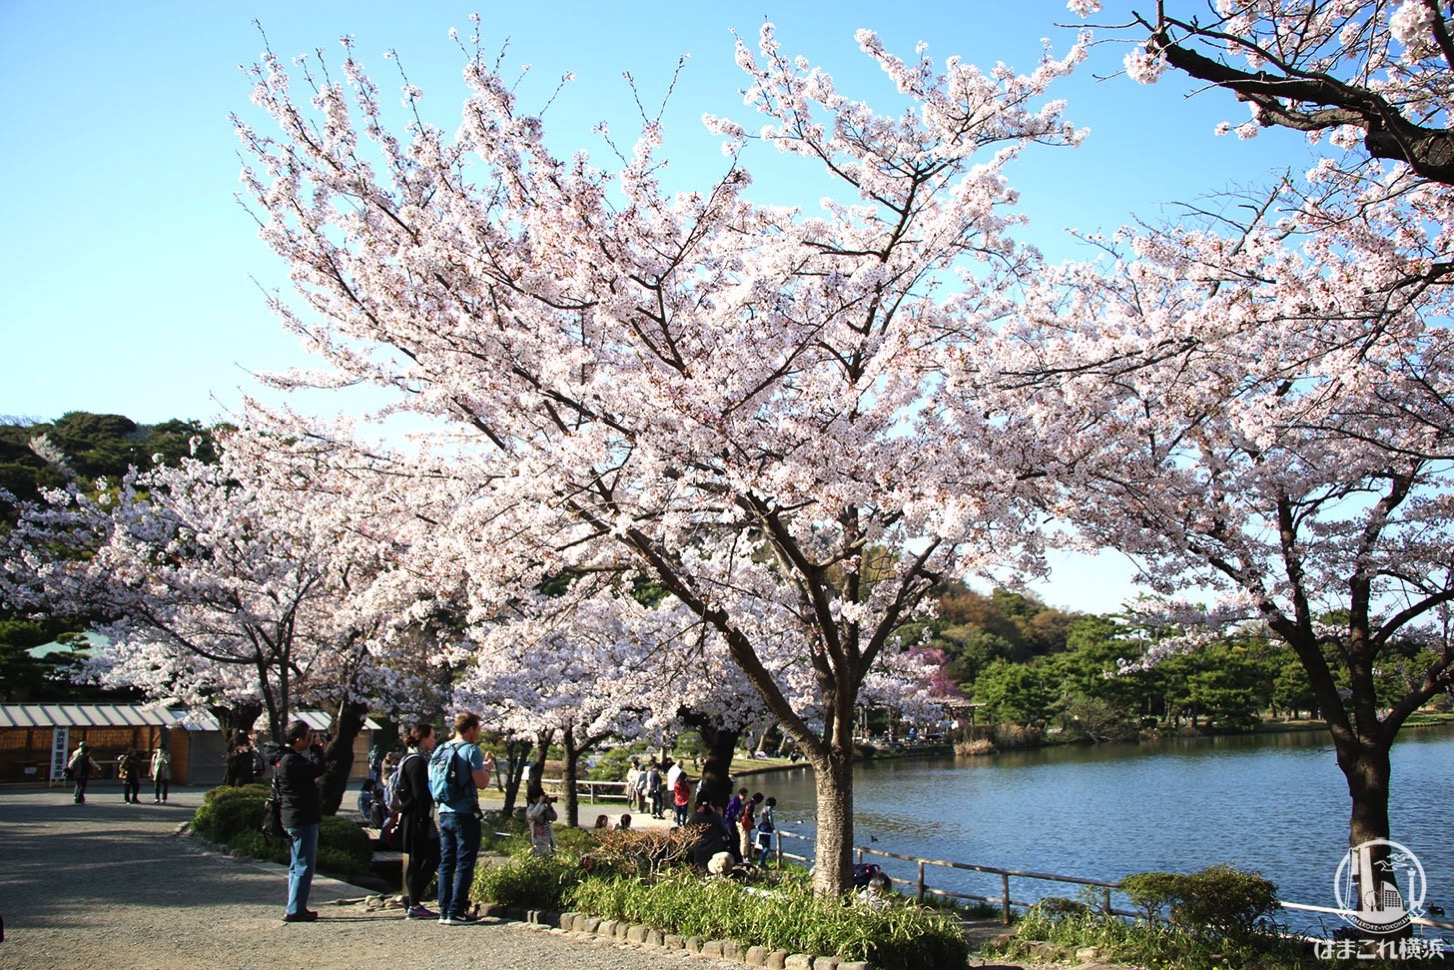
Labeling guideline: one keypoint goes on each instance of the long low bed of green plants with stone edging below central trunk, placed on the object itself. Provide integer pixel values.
(902, 937)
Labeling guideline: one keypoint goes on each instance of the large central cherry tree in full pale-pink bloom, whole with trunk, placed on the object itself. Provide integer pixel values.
(739, 402)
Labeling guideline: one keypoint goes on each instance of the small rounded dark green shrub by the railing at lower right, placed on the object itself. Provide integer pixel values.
(1218, 902)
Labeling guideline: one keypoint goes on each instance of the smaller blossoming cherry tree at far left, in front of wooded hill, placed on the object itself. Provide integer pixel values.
(223, 588)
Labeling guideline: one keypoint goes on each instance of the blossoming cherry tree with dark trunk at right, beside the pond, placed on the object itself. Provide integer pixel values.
(1266, 411)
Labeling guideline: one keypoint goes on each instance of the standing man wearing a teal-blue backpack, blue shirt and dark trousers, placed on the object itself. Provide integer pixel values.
(456, 776)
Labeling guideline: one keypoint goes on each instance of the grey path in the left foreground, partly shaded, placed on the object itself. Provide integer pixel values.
(111, 885)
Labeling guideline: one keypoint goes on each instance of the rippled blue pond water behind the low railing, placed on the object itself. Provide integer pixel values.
(1274, 803)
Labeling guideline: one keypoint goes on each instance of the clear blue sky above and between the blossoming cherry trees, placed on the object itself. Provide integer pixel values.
(130, 274)
